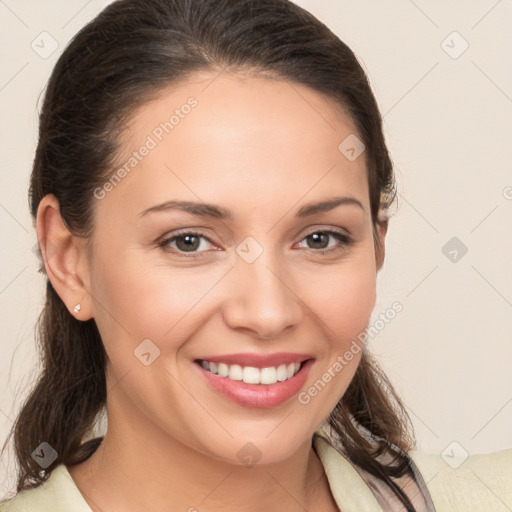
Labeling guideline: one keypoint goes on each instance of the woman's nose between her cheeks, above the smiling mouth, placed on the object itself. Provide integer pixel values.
(263, 300)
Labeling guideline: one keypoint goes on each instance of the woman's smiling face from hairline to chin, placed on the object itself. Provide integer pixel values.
(262, 280)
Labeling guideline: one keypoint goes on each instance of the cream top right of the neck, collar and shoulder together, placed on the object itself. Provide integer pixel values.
(480, 482)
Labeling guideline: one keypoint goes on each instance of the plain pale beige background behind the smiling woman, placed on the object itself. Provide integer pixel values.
(448, 126)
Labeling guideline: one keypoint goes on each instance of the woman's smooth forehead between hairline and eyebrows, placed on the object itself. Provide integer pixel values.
(244, 140)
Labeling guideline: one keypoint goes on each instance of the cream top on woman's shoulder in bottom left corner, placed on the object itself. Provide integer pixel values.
(57, 494)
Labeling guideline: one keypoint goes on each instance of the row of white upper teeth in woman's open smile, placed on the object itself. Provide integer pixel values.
(252, 375)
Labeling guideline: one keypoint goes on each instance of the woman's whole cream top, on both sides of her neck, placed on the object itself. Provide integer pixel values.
(479, 483)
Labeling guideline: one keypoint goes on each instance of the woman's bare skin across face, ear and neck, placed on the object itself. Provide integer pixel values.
(263, 149)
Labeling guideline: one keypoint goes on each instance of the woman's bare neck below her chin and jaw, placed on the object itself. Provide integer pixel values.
(140, 467)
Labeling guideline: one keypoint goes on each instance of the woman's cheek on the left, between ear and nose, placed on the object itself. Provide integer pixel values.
(142, 300)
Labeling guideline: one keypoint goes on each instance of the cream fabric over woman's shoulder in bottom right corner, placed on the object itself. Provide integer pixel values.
(467, 483)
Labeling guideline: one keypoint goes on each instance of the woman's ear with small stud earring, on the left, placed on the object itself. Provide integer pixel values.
(65, 258)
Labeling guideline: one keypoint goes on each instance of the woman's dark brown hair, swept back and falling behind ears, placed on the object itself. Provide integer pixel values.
(132, 50)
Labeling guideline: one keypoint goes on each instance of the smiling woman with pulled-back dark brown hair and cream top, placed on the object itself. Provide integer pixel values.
(210, 191)
